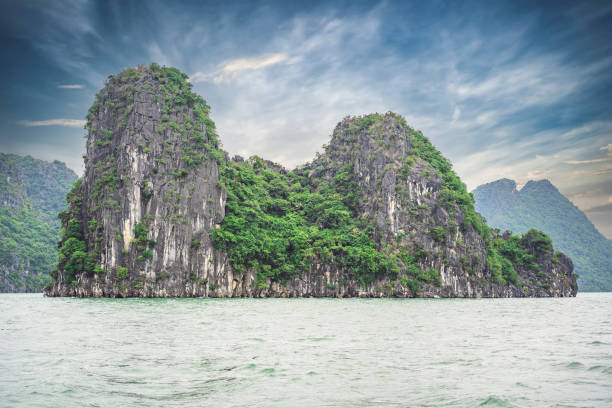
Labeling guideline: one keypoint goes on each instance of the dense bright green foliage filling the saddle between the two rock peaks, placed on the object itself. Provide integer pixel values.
(278, 226)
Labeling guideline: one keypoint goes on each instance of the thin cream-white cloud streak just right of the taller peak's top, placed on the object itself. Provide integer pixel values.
(229, 70)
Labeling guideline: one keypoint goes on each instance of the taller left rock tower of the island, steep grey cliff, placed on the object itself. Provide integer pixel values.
(149, 197)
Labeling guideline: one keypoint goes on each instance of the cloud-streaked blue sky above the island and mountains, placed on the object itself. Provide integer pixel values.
(504, 89)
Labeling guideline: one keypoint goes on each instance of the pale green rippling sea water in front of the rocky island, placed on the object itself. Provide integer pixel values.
(306, 352)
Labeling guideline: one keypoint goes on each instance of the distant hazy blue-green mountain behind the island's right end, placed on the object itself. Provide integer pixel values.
(540, 205)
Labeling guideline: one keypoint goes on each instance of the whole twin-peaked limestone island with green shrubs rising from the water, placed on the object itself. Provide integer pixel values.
(161, 211)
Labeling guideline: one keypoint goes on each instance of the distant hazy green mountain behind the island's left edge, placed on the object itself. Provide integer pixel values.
(32, 193)
